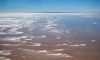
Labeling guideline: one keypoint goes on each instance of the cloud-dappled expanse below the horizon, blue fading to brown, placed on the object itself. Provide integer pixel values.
(50, 36)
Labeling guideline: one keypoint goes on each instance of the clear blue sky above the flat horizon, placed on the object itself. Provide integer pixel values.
(49, 5)
